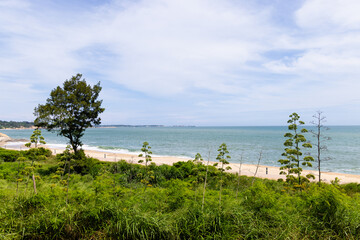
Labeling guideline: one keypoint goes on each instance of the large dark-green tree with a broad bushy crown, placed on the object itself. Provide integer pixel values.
(70, 110)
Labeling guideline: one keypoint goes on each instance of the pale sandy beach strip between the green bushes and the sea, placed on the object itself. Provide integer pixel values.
(263, 171)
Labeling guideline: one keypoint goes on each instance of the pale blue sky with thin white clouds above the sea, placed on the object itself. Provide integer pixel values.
(186, 62)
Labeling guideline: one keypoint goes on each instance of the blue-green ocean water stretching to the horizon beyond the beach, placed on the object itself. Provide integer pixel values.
(248, 142)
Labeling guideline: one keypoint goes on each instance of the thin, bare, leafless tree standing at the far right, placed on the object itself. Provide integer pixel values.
(318, 121)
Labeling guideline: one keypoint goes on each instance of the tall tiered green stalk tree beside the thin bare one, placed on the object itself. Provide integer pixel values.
(294, 160)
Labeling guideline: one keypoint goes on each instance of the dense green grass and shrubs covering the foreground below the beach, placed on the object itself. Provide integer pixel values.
(84, 198)
